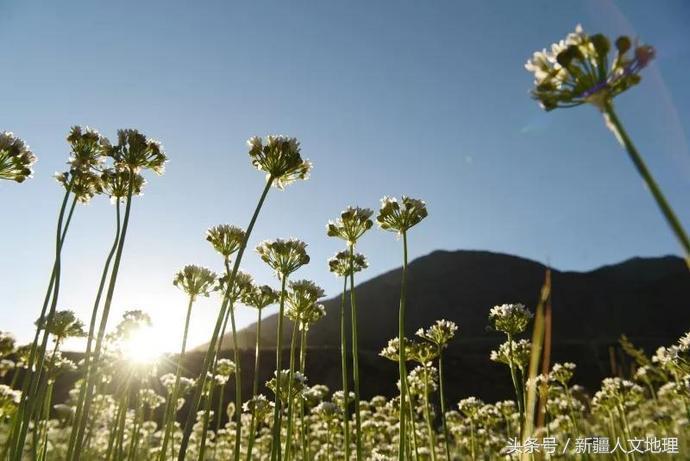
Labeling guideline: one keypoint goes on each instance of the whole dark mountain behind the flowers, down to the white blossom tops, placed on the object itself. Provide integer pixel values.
(648, 299)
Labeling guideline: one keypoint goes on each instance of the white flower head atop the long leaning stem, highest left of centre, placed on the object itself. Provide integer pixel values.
(279, 157)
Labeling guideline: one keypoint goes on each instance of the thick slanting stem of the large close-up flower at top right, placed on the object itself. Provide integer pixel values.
(615, 124)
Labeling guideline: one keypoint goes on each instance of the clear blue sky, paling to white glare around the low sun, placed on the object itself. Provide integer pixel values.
(424, 98)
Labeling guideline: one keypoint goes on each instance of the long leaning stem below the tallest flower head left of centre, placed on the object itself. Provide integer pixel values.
(210, 353)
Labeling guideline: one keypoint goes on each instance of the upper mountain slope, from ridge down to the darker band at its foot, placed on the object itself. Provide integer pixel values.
(645, 298)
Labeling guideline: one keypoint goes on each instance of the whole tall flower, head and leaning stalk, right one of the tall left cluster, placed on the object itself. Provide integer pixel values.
(133, 153)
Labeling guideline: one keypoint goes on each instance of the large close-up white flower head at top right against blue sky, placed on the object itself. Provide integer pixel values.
(578, 70)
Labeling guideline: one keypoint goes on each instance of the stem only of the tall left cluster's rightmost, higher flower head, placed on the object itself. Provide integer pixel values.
(104, 319)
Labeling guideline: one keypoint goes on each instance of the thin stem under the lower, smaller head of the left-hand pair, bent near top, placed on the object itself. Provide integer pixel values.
(92, 328)
